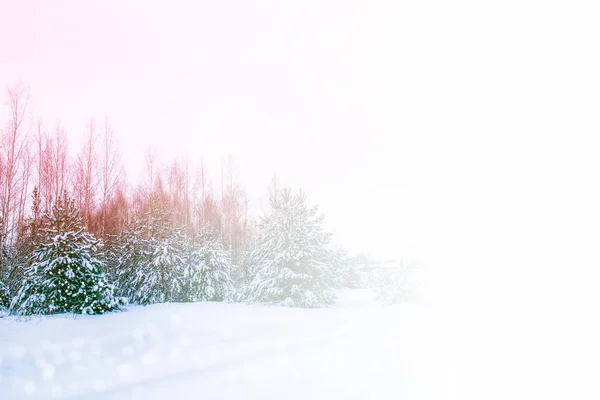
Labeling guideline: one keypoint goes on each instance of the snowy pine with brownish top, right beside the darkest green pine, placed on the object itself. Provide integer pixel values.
(150, 257)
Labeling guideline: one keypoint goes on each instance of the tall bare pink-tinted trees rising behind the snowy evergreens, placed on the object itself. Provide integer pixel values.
(37, 158)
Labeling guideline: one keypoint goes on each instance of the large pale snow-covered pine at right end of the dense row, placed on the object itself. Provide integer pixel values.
(291, 264)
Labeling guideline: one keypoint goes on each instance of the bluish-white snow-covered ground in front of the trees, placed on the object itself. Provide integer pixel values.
(357, 349)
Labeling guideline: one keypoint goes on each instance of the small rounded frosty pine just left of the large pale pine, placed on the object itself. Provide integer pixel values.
(206, 274)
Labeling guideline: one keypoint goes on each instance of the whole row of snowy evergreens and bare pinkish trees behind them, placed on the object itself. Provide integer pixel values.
(175, 237)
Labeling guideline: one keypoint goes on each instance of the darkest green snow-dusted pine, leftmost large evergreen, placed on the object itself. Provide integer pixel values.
(65, 274)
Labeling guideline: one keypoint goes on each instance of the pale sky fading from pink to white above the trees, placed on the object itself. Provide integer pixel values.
(443, 132)
